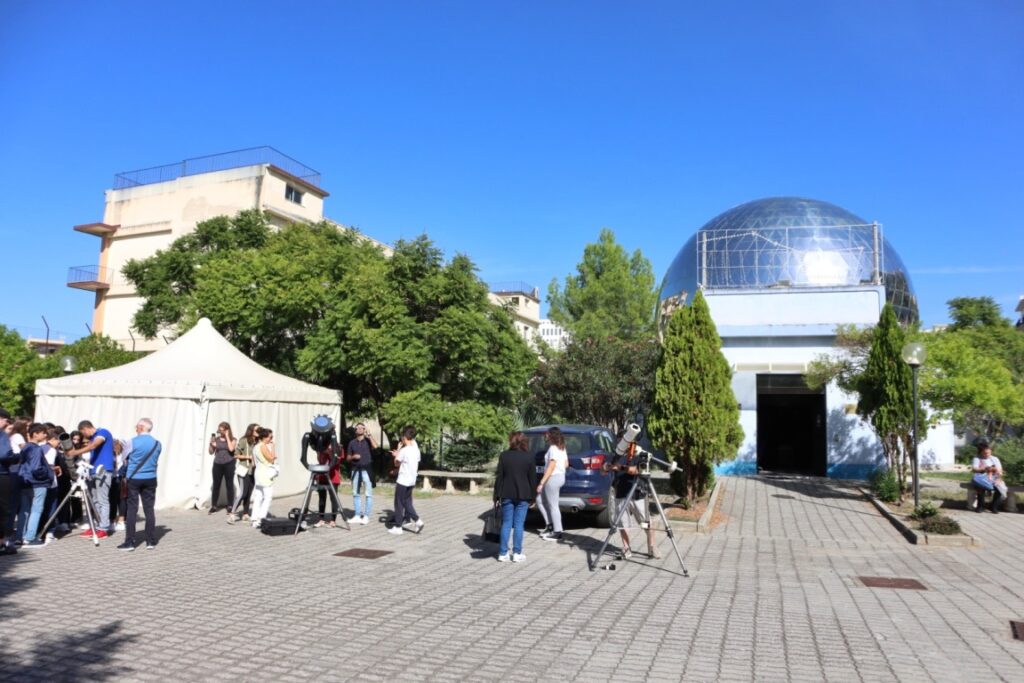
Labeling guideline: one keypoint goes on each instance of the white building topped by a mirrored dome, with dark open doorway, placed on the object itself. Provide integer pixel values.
(780, 275)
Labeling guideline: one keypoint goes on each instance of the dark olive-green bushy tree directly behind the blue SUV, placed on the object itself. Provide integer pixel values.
(599, 380)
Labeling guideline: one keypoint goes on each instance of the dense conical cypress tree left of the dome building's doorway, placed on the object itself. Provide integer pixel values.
(695, 417)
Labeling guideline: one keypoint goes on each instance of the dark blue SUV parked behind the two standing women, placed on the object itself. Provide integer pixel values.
(587, 489)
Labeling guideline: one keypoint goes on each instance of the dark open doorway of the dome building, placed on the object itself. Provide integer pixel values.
(791, 426)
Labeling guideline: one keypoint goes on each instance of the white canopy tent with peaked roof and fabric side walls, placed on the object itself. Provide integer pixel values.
(188, 389)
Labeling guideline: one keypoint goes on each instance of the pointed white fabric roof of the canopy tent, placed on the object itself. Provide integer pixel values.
(200, 363)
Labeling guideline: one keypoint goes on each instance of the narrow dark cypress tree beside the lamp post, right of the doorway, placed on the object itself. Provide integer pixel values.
(886, 394)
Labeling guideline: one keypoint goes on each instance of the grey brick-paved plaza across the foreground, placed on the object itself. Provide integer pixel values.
(774, 595)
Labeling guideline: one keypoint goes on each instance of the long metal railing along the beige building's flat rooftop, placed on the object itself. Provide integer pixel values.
(220, 162)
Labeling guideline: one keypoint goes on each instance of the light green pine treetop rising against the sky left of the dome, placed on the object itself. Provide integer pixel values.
(613, 293)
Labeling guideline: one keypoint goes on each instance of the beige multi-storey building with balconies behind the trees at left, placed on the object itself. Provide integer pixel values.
(141, 220)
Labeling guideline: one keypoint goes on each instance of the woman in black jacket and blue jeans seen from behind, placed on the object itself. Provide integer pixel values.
(516, 491)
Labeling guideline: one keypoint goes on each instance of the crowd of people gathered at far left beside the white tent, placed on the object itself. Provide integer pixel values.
(41, 464)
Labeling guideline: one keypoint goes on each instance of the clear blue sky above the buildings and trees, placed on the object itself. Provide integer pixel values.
(515, 132)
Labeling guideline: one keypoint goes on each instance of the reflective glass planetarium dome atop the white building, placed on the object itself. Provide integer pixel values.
(788, 242)
